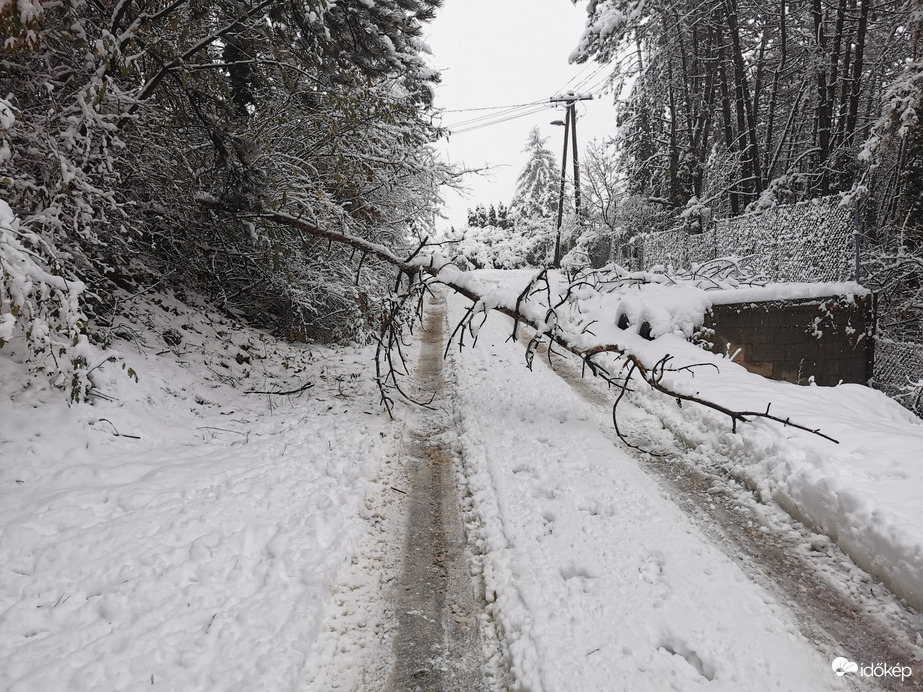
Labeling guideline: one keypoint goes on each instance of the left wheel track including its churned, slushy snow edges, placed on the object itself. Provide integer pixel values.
(403, 615)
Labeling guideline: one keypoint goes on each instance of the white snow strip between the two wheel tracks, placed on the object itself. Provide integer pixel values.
(598, 581)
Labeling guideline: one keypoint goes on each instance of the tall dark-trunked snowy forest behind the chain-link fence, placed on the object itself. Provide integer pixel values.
(745, 104)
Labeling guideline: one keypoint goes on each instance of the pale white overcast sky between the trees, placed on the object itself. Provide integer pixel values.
(507, 52)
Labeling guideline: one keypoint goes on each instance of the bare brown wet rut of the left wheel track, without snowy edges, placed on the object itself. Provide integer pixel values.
(438, 644)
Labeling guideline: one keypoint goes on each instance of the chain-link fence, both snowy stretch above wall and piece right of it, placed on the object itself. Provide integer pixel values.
(810, 241)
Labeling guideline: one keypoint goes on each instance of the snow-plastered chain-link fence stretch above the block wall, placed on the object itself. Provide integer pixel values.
(810, 241)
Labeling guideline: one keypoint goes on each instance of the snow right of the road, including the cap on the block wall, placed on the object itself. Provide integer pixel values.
(865, 493)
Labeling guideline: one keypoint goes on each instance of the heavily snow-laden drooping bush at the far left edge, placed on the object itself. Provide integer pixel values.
(42, 311)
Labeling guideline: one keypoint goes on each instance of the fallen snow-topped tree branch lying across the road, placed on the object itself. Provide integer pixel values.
(420, 269)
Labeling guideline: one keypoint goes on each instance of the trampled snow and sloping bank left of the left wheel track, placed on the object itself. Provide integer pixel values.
(198, 556)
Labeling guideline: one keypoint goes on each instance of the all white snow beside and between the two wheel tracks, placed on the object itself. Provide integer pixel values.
(186, 534)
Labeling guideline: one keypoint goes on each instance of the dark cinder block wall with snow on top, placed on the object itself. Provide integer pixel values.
(793, 340)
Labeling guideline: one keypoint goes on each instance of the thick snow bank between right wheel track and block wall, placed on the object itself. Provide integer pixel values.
(865, 493)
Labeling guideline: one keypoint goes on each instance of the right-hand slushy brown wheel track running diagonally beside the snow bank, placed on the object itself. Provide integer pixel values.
(834, 602)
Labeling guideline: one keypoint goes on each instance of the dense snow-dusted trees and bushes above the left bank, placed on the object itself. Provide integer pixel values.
(145, 155)
